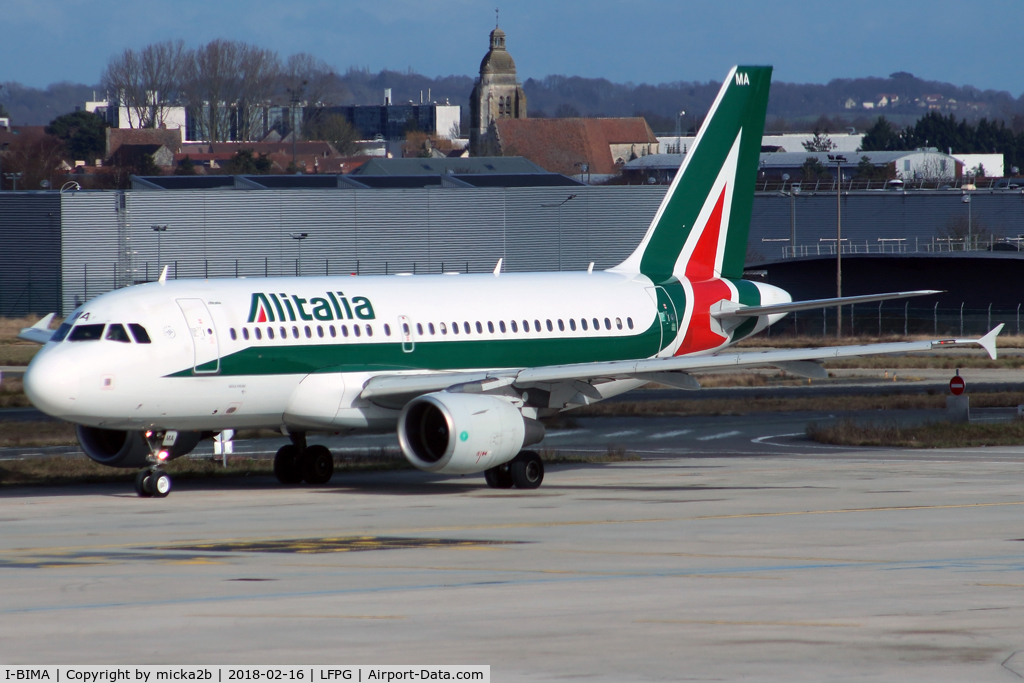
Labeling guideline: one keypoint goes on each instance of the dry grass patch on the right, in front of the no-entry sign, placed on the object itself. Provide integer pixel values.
(931, 436)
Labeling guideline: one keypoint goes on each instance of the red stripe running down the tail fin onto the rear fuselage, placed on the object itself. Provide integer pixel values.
(708, 290)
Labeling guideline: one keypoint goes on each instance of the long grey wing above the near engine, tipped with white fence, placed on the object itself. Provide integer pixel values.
(392, 390)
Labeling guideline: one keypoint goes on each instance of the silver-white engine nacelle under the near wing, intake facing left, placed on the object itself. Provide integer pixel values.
(462, 434)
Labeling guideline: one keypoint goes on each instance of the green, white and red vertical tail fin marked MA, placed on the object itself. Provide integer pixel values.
(700, 232)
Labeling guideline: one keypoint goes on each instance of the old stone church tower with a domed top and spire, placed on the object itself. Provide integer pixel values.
(497, 95)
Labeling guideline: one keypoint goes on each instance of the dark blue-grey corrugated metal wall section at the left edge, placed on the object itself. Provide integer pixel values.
(30, 260)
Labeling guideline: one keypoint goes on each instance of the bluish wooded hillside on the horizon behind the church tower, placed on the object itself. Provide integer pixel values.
(903, 99)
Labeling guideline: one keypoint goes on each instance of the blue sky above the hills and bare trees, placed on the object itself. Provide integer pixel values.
(641, 41)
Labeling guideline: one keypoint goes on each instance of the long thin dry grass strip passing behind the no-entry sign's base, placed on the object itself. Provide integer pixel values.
(745, 406)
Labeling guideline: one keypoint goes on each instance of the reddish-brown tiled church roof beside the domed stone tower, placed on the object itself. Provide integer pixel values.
(559, 145)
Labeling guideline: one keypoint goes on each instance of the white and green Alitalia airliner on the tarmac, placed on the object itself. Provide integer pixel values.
(465, 367)
